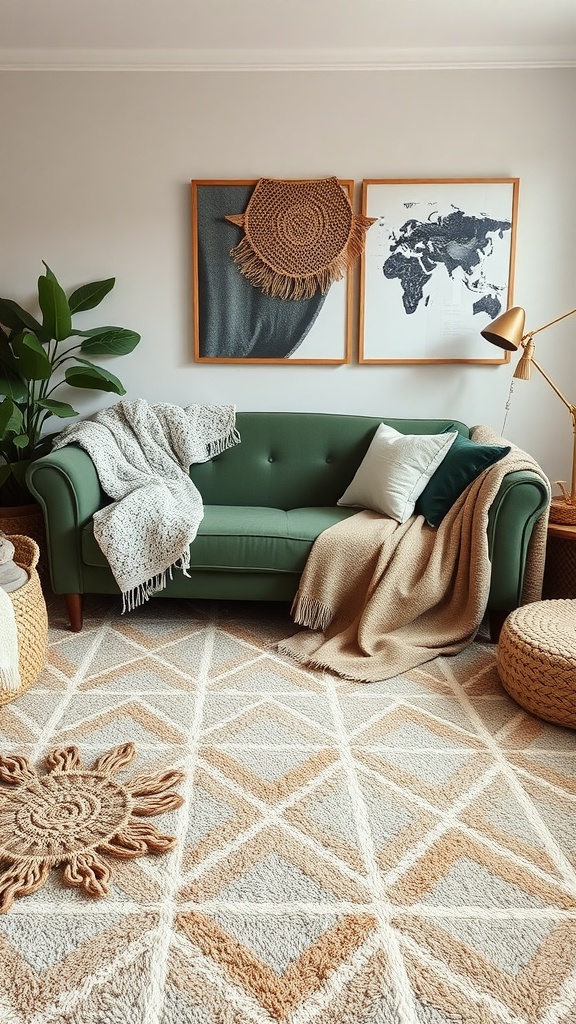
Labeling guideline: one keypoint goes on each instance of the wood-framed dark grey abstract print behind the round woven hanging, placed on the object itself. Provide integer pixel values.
(234, 322)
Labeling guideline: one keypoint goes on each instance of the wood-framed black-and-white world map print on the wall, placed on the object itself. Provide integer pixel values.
(437, 269)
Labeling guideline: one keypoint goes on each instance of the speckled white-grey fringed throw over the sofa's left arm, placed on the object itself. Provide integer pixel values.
(143, 454)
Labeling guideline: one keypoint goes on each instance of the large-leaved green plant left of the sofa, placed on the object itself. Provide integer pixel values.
(37, 358)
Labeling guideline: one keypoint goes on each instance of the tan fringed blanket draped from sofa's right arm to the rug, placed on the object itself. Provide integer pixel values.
(381, 599)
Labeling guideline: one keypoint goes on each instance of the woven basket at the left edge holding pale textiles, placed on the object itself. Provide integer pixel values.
(31, 617)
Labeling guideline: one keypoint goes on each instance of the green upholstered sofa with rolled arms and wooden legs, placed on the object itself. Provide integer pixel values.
(266, 500)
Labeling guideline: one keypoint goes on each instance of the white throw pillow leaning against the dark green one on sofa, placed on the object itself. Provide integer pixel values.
(395, 472)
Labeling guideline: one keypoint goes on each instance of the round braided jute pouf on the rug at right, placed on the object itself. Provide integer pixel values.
(538, 660)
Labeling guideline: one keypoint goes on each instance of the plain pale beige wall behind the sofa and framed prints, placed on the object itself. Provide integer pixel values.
(96, 172)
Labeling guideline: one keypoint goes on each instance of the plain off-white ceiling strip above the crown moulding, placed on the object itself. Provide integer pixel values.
(287, 33)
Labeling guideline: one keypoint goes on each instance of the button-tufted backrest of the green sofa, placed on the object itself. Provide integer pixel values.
(296, 460)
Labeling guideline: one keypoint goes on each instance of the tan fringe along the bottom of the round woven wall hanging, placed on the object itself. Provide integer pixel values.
(283, 286)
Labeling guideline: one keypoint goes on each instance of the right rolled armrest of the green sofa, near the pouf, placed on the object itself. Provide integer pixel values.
(522, 499)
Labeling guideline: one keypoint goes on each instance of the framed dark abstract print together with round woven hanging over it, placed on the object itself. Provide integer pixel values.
(276, 288)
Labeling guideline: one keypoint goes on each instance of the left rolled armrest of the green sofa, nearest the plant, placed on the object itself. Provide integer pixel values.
(67, 487)
